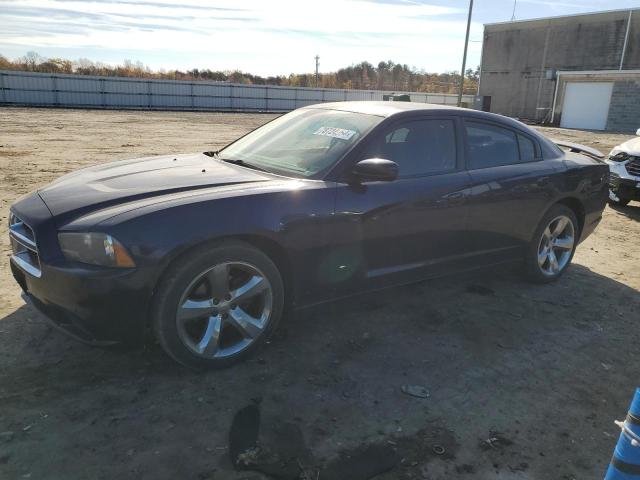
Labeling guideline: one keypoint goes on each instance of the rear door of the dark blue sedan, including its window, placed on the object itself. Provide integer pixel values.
(510, 186)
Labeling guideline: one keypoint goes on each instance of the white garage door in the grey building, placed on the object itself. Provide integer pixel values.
(586, 105)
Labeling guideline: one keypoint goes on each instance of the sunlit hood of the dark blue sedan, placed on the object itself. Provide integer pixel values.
(119, 182)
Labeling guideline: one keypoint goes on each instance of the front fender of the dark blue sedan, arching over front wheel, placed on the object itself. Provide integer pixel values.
(156, 233)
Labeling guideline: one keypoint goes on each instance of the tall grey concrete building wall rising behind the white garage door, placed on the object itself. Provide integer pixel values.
(519, 58)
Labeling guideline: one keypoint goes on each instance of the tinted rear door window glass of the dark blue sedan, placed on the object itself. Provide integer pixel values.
(493, 146)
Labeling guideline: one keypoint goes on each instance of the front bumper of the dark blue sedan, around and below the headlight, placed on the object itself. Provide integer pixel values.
(97, 305)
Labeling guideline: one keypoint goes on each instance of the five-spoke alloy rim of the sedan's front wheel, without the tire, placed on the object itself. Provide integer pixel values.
(224, 310)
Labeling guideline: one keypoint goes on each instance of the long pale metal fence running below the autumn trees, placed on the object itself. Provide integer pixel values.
(83, 91)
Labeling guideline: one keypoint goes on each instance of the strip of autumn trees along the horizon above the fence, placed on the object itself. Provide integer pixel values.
(362, 76)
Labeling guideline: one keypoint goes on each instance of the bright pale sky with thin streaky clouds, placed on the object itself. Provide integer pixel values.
(266, 37)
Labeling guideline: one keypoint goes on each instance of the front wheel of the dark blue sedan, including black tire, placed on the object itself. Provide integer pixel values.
(203, 324)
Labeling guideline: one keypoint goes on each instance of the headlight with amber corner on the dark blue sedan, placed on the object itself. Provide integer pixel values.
(95, 248)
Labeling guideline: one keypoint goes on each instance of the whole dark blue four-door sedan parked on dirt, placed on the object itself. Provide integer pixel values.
(205, 252)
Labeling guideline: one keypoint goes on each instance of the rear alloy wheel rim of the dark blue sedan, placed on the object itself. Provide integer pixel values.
(556, 245)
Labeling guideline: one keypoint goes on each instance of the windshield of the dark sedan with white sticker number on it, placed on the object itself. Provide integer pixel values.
(303, 143)
